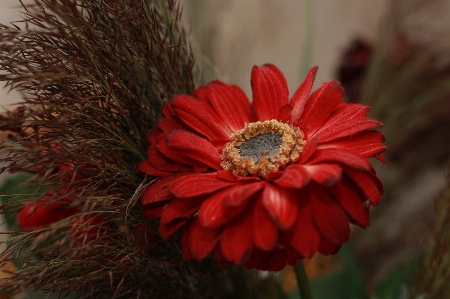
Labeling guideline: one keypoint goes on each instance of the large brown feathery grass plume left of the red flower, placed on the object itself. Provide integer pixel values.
(93, 76)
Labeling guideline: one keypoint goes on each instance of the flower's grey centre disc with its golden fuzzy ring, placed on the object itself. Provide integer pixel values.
(261, 148)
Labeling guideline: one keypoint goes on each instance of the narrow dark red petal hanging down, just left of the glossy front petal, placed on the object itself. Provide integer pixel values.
(265, 231)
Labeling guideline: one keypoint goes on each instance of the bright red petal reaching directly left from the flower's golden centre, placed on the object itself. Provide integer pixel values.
(193, 147)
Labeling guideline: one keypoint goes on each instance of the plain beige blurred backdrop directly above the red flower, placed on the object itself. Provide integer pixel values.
(232, 36)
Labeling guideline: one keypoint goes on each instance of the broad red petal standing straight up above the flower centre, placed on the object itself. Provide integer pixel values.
(270, 91)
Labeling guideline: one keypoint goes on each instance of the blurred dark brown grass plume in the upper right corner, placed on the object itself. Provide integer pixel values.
(408, 83)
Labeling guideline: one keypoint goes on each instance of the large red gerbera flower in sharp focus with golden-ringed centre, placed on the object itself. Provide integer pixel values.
(265, 183)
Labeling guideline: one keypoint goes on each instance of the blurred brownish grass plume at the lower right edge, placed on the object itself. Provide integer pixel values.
(435, 264)
